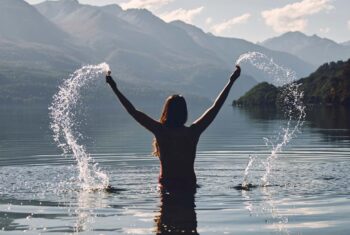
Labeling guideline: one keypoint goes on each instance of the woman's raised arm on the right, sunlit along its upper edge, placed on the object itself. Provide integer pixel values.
(206, 119)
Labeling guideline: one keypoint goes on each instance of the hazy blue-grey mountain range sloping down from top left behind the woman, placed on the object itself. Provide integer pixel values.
(41, 44)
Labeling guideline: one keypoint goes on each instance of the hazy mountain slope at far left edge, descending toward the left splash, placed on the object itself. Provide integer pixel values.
(27, 38)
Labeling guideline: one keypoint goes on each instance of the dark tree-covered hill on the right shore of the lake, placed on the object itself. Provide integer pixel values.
(328, 85)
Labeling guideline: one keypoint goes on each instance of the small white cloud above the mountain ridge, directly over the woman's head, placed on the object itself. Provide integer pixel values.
(181, 14)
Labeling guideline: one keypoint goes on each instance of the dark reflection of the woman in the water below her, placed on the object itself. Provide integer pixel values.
(177, 213)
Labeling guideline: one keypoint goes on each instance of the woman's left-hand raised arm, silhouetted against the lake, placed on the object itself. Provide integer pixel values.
(146, 121)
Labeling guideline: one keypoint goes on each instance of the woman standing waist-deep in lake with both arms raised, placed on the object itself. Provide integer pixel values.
(175, 144)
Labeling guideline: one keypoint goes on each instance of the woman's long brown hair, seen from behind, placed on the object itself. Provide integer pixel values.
(174, 115)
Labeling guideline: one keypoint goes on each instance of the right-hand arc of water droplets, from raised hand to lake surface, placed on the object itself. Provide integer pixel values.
(292, 105)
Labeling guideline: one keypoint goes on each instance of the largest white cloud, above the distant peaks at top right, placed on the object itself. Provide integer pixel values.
(292, 17)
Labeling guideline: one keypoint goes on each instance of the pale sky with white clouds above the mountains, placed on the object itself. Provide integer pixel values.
(253, 20)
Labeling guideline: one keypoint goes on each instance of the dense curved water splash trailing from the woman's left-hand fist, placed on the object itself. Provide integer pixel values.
(64, 123)
